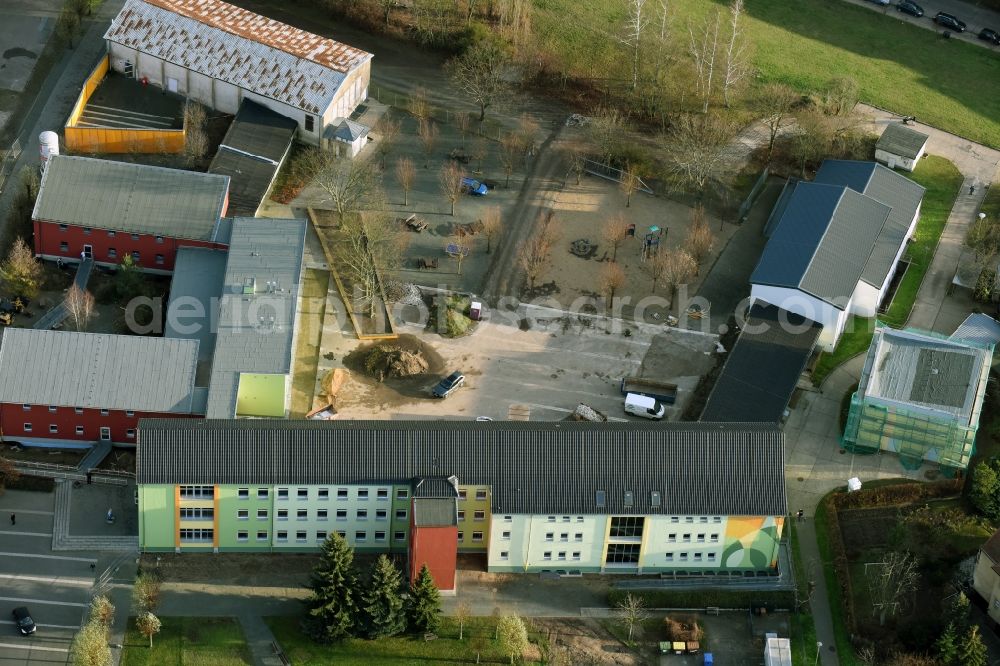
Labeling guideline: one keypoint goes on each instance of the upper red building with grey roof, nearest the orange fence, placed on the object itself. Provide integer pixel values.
(109, 210)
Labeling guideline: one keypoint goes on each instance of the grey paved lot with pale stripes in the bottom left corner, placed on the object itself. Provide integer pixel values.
(55, 586)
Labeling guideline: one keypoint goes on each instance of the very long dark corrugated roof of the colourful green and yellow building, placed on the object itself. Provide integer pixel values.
(697, 468)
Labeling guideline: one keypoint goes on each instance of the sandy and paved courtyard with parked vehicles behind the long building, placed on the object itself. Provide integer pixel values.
(550, 365)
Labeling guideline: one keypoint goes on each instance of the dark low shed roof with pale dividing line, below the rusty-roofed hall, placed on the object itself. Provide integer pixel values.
(251, 153)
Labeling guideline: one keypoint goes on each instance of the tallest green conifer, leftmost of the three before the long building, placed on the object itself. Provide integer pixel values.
(332, 606)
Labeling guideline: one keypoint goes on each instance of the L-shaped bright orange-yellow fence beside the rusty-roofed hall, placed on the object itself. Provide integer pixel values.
(114, 140)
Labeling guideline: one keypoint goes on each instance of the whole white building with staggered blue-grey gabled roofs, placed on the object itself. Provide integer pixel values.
(837, 244)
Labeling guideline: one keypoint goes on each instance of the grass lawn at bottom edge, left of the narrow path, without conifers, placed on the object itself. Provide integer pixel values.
(191, 641)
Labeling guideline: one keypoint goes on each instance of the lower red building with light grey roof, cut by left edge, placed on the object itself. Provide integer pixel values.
(73, 389)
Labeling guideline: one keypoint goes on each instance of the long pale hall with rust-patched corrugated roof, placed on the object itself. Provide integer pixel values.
(219, 54)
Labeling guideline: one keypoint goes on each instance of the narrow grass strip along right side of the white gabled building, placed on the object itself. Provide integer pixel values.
(942, 180)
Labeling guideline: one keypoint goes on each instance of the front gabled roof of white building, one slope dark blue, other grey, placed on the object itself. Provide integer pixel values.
(822, 242)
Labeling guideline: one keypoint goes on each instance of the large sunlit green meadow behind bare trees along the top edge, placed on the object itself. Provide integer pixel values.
(898, 66)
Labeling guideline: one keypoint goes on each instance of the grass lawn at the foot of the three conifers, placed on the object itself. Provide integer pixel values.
(396, 651)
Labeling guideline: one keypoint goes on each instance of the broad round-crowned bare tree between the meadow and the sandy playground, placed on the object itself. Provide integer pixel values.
(696, 150)
